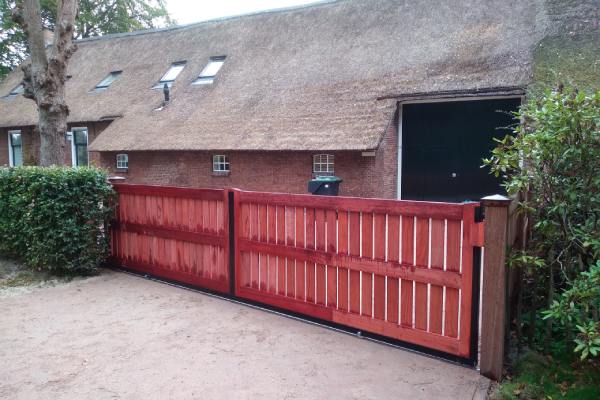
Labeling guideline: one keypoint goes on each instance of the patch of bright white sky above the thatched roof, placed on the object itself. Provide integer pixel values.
(188, 11)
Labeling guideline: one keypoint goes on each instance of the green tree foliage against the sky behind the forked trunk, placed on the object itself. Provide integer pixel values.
(96, 17)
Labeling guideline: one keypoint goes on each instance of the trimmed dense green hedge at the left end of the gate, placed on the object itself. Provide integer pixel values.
(54, 218)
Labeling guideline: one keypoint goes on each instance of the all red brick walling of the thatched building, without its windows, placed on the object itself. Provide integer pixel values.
(364, 176)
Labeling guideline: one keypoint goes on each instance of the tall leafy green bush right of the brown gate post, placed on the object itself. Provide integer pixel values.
(553, 162)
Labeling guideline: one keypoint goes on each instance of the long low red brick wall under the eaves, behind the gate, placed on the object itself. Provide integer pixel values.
(262, 171)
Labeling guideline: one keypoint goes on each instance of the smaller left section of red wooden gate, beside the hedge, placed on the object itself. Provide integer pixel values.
(180, 234)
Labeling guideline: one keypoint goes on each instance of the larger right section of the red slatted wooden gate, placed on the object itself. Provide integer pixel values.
(401, 269)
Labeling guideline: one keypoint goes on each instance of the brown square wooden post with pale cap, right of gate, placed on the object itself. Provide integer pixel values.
(493, 301)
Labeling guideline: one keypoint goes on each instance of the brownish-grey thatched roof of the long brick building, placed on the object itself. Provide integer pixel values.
(309, 78)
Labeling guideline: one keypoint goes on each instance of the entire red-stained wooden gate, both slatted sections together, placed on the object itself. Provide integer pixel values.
(400, 269)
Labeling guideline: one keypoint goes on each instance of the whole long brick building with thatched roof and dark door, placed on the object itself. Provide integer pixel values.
(398, 98)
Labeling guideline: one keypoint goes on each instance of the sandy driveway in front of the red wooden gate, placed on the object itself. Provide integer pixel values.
(117, 336)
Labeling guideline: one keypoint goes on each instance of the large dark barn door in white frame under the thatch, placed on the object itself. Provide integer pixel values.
(443, 145)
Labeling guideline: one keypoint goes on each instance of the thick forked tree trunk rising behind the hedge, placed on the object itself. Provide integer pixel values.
(45, 75)
